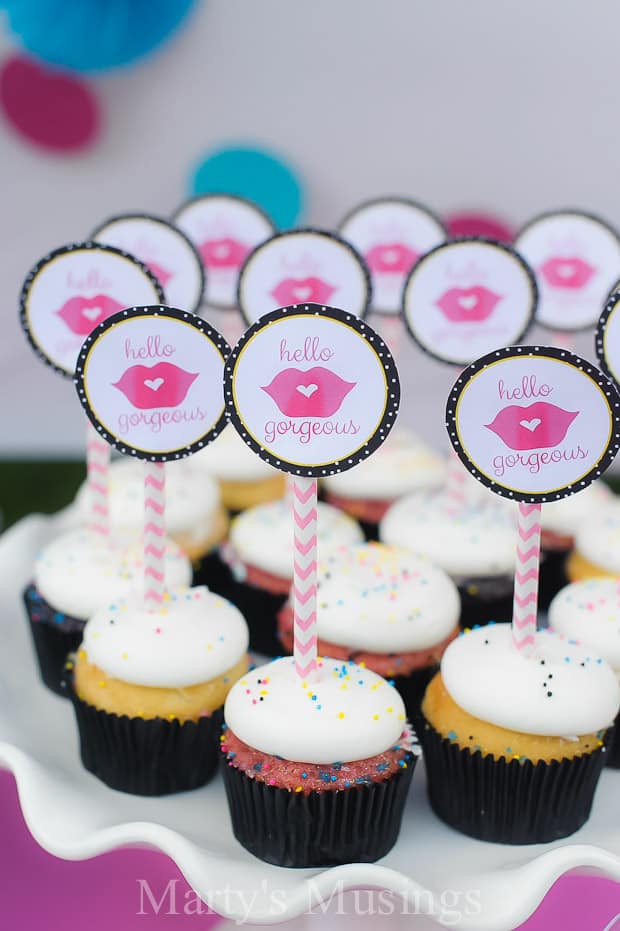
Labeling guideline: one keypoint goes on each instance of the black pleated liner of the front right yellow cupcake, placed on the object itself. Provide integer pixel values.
(508, 802)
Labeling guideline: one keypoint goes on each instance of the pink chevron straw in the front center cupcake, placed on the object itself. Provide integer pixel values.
(304, 497)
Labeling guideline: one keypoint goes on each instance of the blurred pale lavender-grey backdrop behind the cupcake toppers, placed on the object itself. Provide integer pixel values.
(509, 109)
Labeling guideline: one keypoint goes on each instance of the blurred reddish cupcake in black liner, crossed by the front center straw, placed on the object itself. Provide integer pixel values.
(259, 555)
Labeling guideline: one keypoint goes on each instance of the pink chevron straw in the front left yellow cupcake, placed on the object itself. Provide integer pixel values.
(154, 533)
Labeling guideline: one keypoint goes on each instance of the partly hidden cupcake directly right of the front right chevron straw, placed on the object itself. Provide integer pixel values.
(561, 520)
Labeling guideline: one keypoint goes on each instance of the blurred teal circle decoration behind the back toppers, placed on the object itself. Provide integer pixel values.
(256, 175)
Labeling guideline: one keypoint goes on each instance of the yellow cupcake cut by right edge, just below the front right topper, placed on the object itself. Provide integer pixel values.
(597, 547)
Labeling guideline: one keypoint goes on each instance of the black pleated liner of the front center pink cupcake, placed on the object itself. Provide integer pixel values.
(356, 825)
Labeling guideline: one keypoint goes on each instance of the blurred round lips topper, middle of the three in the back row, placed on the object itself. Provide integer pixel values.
(391, 233)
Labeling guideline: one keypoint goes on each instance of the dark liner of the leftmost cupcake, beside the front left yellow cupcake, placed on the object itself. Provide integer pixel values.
(53, 636)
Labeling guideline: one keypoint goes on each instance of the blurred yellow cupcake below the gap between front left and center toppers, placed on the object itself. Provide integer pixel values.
(244, 479)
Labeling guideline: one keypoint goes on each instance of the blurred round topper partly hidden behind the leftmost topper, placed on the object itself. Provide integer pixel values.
(164, 249)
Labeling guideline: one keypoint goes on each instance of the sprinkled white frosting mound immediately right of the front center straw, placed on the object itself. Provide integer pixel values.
(384, 599)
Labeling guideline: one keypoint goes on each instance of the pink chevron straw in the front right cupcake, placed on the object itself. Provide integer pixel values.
(525, 604)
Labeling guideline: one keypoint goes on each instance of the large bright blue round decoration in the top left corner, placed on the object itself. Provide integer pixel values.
(93, 35)
